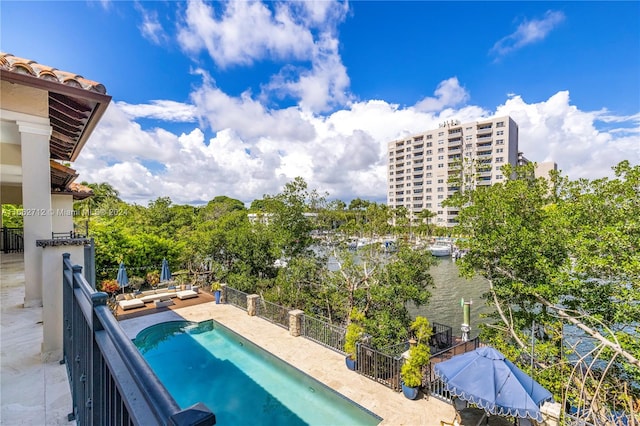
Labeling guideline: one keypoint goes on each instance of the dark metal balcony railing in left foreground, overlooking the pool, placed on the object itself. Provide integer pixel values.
(111, 383)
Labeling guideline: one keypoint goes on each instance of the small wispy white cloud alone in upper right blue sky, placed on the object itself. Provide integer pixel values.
(527, 33)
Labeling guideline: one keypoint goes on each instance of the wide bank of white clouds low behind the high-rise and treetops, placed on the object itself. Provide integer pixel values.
(256, 150)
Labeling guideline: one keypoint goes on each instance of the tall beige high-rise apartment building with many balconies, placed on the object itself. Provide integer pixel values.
(426, 168)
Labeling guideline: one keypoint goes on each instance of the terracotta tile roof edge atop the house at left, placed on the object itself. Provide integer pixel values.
(19, 65)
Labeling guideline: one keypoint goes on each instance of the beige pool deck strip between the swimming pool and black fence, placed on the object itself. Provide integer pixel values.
(319, 362)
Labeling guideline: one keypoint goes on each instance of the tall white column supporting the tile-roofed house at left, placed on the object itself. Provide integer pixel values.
(36, 201)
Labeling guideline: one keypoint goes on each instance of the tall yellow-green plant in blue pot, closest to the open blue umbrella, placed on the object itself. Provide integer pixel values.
(419, 354)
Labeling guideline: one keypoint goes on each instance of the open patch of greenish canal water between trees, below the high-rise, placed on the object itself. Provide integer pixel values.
(444, 306)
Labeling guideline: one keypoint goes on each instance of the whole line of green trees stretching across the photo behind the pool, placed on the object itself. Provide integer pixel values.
(561, 256)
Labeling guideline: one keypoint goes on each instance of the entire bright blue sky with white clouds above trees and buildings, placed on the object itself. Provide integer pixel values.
(239, 98)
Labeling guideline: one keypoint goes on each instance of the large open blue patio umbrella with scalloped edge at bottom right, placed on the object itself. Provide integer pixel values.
(486, 378)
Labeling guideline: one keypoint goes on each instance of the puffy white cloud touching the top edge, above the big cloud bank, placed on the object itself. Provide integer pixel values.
(293, 34)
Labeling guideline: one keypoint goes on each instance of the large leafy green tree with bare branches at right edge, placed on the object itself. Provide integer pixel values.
(563, 265)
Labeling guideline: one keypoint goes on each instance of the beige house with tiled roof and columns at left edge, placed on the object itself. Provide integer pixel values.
(46, 117)
